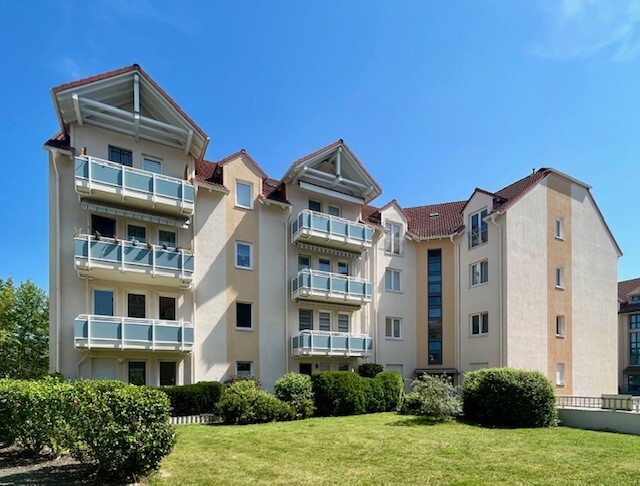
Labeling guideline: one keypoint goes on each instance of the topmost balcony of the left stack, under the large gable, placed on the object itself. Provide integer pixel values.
(115, 183)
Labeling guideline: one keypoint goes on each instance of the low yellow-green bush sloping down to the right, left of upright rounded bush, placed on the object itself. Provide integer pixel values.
(243, 403)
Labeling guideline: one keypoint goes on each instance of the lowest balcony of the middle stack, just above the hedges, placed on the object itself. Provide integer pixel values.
(328, 343)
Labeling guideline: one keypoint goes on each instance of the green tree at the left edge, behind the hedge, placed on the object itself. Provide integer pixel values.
(24, 330)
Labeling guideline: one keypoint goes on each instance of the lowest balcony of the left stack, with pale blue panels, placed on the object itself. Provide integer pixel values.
(107, 332)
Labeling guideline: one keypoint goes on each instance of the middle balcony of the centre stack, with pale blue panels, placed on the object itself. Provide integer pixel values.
(330, 287)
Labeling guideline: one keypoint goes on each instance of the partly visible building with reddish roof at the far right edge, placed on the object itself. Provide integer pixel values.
(629, 336)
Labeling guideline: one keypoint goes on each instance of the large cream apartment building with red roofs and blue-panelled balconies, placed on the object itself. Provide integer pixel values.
(168, 268)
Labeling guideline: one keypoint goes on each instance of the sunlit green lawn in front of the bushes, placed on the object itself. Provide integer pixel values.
(392, 449)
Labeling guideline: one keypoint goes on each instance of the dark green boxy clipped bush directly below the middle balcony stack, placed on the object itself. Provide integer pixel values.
(338, 393)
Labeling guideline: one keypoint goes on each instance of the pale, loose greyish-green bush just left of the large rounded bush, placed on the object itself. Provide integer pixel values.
(432, 397)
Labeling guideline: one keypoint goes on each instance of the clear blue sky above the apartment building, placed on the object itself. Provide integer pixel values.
(436, 98)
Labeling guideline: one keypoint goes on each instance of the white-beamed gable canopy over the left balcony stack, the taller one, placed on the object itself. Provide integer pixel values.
(128, 101)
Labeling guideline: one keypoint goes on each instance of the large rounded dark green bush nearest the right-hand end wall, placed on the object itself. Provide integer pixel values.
(509, 397)
